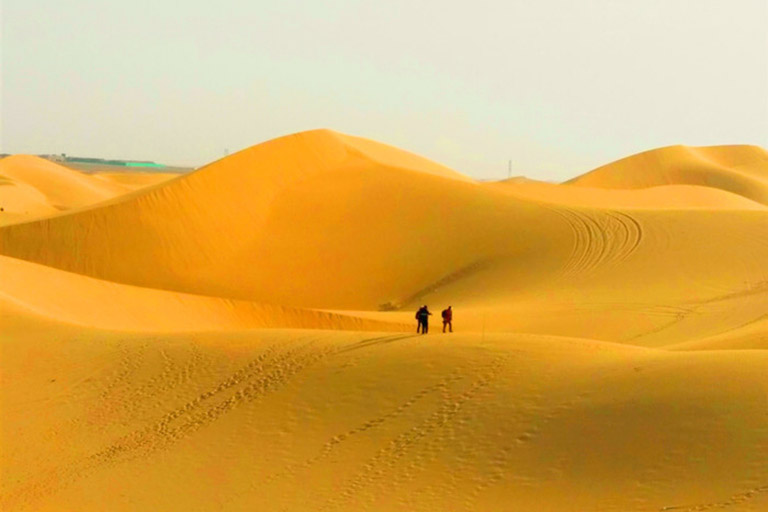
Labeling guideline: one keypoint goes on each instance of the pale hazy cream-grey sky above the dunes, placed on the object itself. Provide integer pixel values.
(557, 87)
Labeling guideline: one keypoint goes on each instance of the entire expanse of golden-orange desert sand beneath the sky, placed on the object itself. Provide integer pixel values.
(242, 337)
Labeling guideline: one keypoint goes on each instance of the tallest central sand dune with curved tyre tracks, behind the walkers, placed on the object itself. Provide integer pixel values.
(306, 221)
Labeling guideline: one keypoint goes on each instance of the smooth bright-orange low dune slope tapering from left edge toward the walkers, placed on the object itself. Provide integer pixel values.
(77, 299)
